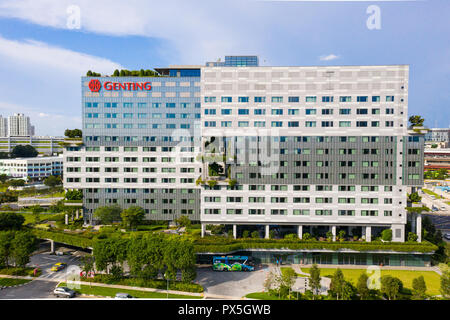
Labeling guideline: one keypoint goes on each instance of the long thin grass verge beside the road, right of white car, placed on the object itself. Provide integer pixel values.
(111, 292)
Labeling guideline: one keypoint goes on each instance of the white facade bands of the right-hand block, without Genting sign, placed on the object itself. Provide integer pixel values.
(381, 118)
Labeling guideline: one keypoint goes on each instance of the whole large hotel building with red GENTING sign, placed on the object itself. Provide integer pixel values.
(309, 149)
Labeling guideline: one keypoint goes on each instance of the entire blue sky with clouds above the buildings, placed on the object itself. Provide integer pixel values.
(47, 45)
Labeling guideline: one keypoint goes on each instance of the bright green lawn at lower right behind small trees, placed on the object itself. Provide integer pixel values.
(432, 279)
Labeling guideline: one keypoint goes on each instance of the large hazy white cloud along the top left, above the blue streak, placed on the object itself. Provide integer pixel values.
(197, 30)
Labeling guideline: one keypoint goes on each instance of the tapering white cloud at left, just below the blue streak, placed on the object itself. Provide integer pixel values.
(40, 54)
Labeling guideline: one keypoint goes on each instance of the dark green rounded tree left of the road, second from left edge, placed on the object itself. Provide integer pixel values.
(22, 246)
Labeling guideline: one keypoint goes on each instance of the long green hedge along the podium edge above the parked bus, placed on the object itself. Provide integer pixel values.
(218, 244)
